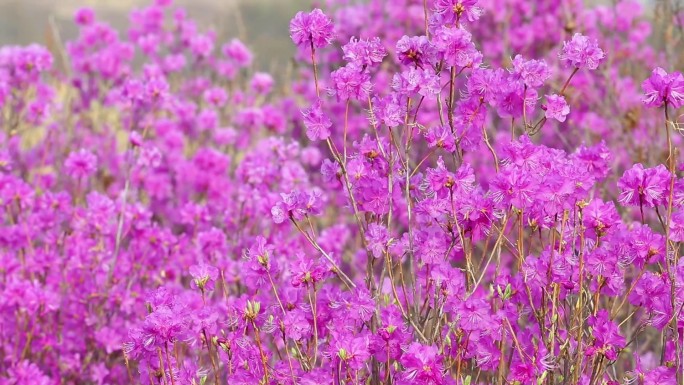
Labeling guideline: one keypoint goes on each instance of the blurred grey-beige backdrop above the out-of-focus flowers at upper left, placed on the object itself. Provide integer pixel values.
(262, 24)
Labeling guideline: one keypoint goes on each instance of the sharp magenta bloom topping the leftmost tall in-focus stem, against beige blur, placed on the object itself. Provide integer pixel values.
(311, 28)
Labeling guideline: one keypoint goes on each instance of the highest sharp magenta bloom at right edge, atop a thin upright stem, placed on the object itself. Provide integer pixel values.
(661, 88)
